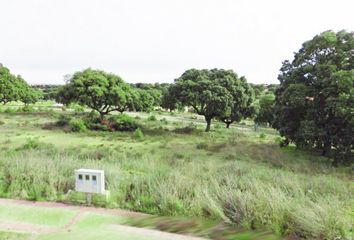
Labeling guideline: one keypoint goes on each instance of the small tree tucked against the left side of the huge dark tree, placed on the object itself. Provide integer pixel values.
(266, 109)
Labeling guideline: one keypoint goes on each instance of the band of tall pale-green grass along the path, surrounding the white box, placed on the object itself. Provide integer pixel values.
(247, 193)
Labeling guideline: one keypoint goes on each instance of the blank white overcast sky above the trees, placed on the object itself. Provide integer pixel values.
(157, 40)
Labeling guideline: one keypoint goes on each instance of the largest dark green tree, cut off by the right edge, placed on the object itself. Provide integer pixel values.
(314, 103)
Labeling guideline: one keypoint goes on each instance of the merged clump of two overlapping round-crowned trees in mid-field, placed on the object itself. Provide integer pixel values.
(211, 93)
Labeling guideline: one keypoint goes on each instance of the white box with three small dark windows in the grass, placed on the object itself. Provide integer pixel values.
(89, 181)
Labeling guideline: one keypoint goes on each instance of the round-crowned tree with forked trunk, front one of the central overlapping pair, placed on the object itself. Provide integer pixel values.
(205, 92)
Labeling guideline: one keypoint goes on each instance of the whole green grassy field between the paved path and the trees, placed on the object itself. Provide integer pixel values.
(234, 175)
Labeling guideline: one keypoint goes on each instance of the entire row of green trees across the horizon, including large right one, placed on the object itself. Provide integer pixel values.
(312, 107)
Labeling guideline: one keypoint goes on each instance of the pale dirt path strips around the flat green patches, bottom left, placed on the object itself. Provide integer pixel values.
(80, 210)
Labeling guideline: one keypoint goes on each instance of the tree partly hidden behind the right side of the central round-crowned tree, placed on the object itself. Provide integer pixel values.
(242, 97)
